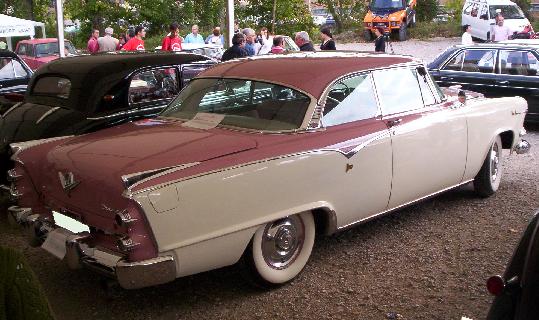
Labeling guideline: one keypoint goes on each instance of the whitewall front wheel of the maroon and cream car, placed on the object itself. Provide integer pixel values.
(487, 181)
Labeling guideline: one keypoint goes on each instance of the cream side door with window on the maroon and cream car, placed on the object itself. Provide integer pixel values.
(429, 141)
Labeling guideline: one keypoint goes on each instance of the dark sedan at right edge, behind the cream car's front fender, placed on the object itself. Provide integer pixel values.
(493, 69)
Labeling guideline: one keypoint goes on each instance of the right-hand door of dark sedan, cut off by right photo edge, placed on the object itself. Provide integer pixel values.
(518, 76)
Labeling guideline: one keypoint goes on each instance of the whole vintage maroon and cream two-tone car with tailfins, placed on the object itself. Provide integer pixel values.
(253, 157)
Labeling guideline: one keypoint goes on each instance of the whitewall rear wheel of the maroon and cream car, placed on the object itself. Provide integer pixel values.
(279, 250)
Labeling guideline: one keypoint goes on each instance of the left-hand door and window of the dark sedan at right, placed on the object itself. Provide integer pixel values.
(471, 68)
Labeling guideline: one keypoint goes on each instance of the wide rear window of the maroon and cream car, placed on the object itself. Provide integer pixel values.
(240, 103)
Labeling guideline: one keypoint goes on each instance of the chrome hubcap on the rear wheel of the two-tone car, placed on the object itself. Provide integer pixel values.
(282, 242)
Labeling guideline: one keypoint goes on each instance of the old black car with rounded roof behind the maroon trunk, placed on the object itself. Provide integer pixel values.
(82, 94)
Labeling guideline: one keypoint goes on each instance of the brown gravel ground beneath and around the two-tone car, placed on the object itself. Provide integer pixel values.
(428, 261)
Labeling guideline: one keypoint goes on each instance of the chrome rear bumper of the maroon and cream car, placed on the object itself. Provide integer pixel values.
(130, 275)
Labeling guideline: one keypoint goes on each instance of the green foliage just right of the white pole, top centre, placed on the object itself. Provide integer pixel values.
(291, 16)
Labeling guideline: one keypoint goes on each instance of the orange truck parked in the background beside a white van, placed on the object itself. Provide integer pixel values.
(394, 16)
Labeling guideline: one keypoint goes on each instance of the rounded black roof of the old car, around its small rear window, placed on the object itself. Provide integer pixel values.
(92, 76)
